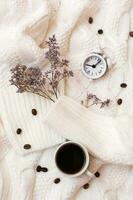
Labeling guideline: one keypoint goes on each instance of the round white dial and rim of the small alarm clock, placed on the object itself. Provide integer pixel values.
(95, 66)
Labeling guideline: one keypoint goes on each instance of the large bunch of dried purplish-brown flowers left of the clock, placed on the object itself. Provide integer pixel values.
(29, 79)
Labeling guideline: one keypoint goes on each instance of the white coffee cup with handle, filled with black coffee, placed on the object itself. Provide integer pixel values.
(72, 159)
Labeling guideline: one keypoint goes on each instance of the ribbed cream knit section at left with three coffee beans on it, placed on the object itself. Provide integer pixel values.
(18, 115)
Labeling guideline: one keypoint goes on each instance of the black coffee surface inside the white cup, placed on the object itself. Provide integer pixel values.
(70, 158)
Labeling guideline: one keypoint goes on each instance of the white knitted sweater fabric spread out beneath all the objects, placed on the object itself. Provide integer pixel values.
(107, 133)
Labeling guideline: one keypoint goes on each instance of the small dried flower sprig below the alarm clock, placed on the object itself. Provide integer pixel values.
(92, 99)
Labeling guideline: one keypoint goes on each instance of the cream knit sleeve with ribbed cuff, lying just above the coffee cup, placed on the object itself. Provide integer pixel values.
(97, 133)
